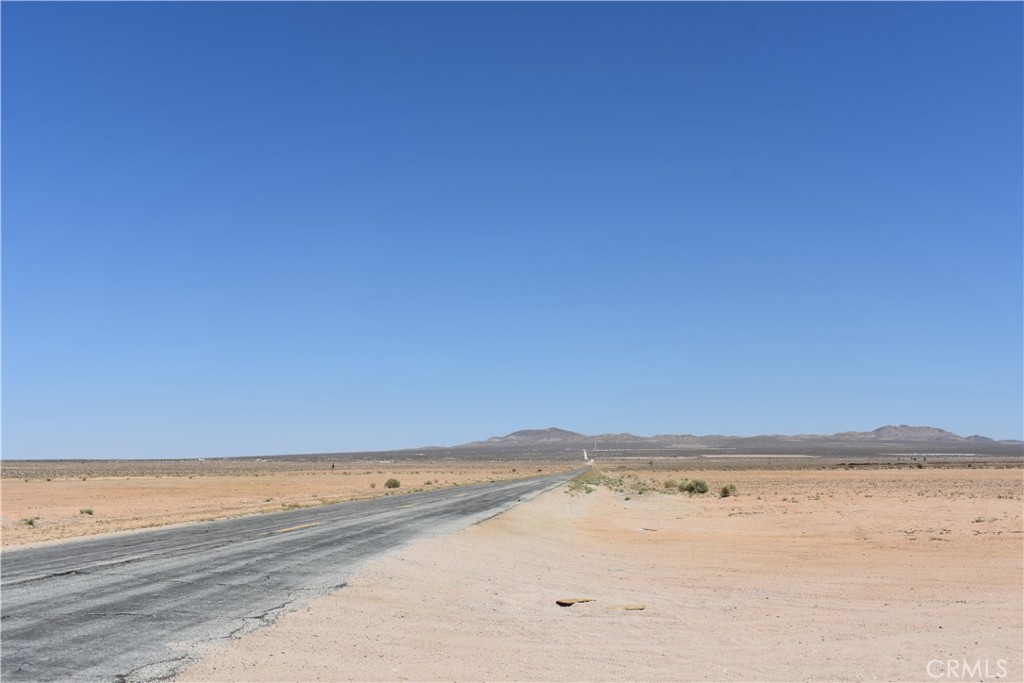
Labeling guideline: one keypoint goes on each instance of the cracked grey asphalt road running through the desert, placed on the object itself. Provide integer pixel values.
(132, 608)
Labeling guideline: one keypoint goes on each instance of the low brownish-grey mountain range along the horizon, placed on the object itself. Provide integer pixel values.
(900, 438)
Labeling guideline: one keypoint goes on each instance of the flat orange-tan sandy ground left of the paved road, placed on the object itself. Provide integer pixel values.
(66, 500)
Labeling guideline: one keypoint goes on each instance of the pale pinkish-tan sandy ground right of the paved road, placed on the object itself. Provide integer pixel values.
(886, 575)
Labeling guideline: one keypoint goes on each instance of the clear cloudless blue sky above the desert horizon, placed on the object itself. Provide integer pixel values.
(242, 229)
